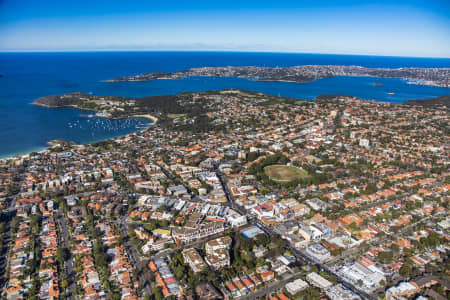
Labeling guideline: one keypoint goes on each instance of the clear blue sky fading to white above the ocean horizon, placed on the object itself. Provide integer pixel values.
(399, 28)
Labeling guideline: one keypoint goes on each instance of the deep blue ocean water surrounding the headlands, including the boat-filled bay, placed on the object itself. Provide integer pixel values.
(27, 76)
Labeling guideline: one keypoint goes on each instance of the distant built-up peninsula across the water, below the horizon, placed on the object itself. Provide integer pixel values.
(302, 74)
